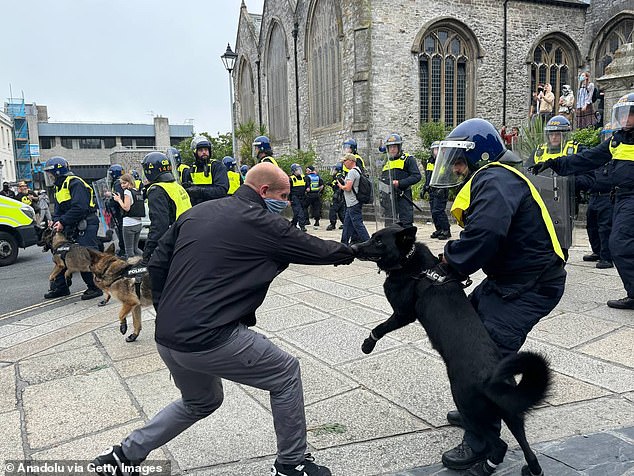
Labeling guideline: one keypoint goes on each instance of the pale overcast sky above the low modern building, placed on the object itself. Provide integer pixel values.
(122, 60)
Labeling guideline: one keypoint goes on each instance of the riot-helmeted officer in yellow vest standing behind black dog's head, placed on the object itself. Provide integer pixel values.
(399, 173)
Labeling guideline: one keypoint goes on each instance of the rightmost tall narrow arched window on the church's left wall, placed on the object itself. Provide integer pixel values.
(324, 65)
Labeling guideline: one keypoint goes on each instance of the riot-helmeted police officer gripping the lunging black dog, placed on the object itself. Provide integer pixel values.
(508, 234)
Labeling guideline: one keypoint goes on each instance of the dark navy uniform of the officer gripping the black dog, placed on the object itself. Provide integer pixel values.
(505, 236)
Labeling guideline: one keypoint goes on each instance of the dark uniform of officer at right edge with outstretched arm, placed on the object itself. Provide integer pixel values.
(618, 154)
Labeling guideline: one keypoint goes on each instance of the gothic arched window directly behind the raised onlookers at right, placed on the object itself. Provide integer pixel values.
(553, 62)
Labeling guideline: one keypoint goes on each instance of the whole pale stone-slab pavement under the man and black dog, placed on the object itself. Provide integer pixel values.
(70, 385)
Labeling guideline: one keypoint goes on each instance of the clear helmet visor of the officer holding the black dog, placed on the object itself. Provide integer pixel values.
(451, 168)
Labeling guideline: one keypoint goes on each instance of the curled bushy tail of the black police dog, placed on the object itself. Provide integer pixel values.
(534, 386)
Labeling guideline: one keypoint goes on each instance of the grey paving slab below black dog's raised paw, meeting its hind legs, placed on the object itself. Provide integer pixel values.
(408, 377)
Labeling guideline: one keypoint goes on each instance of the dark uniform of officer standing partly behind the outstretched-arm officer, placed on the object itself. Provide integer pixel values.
(598, 184)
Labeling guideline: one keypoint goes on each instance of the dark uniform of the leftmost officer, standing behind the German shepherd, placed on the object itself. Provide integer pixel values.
(70, 213)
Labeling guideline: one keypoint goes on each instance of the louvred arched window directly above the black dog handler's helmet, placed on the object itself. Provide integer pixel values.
(446, 76)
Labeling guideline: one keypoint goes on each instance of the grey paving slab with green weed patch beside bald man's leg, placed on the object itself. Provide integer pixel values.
(355, 416)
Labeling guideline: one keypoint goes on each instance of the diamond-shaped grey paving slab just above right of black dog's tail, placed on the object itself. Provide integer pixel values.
(571, 329)
